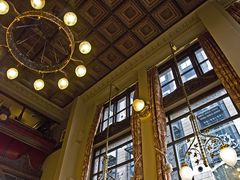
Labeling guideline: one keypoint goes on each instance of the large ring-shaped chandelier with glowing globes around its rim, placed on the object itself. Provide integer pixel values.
(55, 47)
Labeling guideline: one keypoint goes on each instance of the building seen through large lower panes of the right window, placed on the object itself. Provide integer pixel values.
(219, 116)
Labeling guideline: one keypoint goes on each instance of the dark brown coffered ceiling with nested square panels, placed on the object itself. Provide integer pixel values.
(117, 29)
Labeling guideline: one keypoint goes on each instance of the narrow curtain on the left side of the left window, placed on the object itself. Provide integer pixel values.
(89, 145)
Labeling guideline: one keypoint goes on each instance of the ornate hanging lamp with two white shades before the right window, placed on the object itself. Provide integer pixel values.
(202, 143)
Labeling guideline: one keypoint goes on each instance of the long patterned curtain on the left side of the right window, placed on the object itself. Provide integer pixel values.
(158, 122)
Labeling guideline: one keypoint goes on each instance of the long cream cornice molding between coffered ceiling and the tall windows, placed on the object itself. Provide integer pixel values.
(147, 57)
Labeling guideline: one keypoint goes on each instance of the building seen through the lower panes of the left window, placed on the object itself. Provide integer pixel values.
(120, 162)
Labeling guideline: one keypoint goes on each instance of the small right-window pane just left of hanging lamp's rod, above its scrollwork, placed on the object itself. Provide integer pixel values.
(182, 128)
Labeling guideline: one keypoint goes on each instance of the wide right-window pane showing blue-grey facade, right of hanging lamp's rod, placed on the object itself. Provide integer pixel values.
(215, 112)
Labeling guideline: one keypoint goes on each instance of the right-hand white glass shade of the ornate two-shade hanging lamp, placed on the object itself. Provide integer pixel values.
(228, 155)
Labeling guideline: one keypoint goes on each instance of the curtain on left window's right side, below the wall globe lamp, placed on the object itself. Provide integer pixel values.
(137, 143)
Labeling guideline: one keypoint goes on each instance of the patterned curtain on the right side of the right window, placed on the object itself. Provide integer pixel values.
(222, 67)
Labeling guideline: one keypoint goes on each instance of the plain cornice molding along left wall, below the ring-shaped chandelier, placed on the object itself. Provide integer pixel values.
(33, 100)
